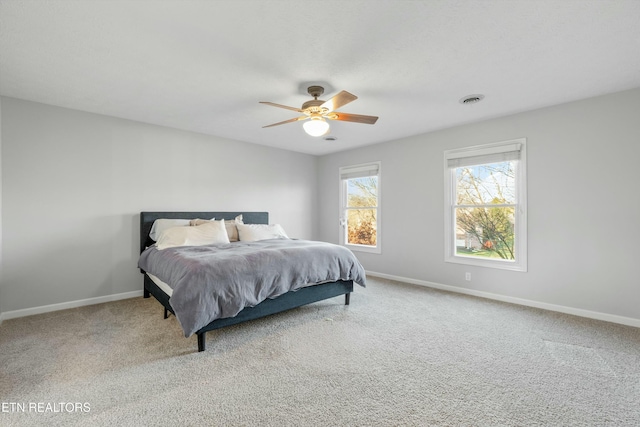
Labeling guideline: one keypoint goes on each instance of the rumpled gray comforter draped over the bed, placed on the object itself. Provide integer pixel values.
(218, 281)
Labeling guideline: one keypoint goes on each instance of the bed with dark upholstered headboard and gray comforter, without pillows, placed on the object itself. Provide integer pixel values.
(166, 273)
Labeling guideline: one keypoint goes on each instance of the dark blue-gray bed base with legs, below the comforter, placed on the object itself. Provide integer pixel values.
(288, 301)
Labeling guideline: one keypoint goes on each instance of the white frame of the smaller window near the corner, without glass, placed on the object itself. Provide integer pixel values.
(355, 171)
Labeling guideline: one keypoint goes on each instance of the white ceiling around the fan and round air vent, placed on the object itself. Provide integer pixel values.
(204, 65)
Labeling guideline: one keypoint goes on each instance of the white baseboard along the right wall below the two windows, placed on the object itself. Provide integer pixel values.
(629, 321)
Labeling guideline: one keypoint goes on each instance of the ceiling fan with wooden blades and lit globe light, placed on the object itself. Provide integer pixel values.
(317, 111)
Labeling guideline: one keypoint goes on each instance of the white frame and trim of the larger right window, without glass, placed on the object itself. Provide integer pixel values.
(484, 154)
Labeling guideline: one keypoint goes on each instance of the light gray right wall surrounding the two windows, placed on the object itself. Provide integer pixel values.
(583, 204)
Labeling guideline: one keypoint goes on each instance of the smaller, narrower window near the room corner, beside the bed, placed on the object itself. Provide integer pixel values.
(360, 207)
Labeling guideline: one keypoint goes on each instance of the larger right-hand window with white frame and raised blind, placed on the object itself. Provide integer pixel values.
(485, 203)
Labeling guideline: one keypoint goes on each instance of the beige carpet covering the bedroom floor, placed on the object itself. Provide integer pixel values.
(398, 355)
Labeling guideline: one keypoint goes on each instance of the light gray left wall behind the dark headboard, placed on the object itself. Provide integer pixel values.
(73, 184)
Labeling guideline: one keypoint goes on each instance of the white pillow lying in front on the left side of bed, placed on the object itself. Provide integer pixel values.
(205, 234)
